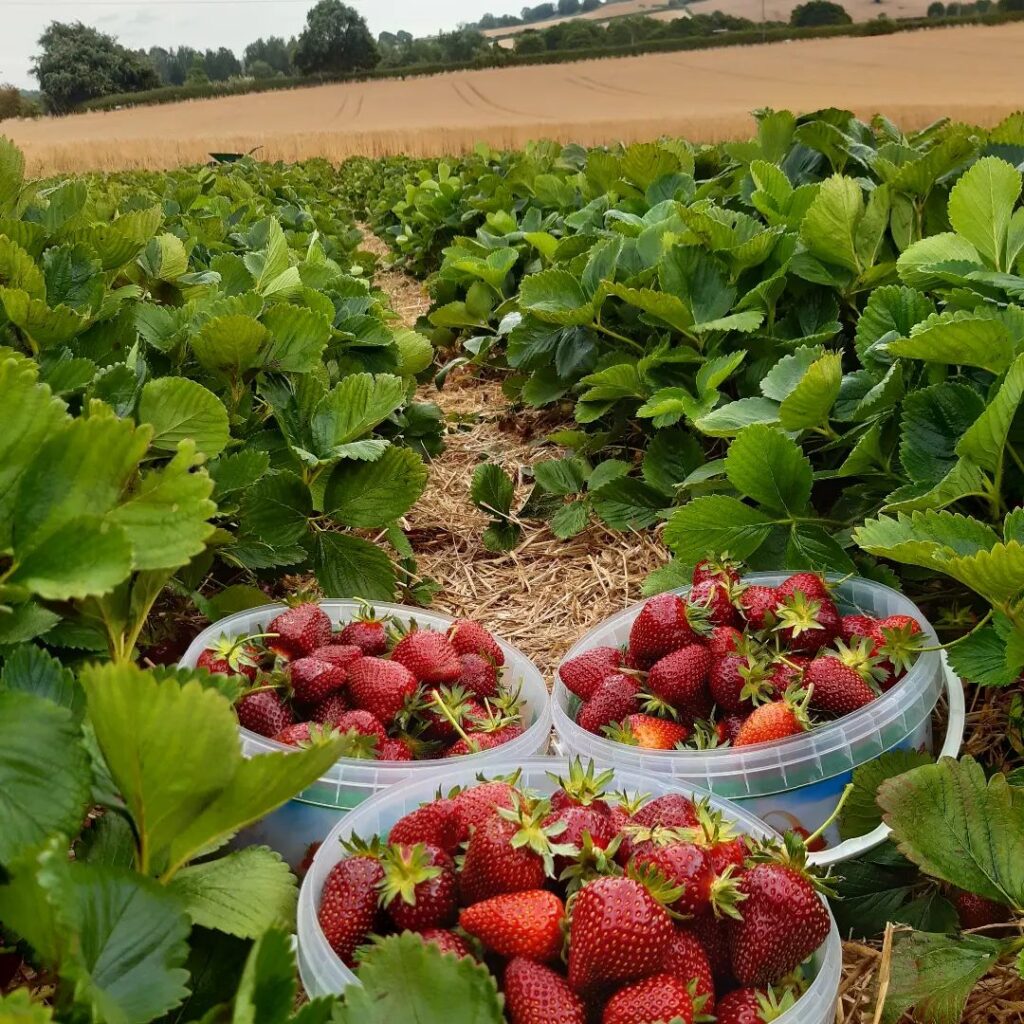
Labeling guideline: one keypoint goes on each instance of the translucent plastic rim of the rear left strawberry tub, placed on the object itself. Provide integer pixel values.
(530, 743)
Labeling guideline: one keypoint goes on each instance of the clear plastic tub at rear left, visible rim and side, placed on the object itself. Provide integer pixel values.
(307, 820)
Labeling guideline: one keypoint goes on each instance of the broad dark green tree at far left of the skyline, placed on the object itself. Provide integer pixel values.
(78, 63)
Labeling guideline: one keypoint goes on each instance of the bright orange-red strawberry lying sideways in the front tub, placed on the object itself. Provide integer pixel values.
(522, 924)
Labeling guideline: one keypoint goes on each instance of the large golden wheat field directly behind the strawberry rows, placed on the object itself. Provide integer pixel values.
(968, 74)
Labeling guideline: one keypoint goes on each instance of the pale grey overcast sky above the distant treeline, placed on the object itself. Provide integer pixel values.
(209, 24)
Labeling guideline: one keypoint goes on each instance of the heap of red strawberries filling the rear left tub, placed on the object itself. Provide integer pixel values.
(395, 695)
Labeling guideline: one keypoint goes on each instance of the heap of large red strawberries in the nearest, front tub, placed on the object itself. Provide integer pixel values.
(589, 908)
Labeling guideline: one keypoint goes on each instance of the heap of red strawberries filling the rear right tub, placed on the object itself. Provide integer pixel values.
(739, 664)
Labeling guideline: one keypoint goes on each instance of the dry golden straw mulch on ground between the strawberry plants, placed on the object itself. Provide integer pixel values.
(547, 593)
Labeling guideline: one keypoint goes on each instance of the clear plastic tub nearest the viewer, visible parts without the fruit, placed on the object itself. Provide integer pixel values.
(323, 973)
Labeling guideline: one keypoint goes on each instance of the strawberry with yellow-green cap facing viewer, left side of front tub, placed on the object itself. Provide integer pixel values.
(419, 888)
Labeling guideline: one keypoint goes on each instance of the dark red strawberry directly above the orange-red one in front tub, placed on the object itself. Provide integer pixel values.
(510, 852)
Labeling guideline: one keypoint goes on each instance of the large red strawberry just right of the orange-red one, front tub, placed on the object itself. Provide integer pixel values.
(619, 933)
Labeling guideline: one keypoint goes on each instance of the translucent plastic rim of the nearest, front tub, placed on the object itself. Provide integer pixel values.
(823, 992)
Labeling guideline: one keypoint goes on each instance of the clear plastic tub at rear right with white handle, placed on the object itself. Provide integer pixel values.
(796, 782)
